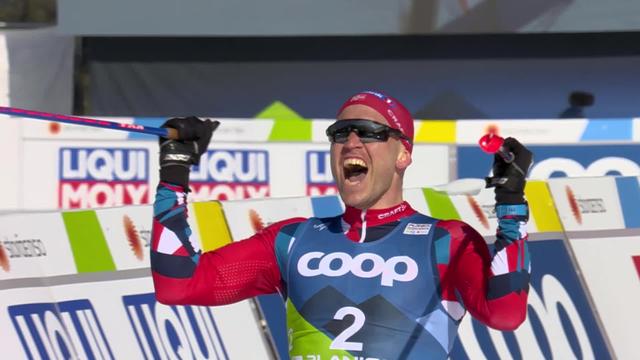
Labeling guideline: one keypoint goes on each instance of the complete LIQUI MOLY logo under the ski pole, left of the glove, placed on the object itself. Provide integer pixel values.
(97, 177)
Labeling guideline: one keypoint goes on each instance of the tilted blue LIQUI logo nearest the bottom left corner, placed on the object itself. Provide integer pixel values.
(64, 330)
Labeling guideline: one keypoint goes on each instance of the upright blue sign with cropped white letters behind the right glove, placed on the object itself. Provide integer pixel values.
(560, 161)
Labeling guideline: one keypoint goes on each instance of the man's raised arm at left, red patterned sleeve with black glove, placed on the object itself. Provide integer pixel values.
(182, 274)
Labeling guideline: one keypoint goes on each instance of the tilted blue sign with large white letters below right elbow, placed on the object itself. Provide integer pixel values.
(560, 323)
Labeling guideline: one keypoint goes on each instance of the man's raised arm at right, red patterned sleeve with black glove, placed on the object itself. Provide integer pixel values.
(493, 287)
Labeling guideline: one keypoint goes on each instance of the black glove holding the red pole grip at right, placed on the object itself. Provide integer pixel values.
(509, 178)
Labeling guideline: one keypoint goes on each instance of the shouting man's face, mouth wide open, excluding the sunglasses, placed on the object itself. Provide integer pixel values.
(368, 175)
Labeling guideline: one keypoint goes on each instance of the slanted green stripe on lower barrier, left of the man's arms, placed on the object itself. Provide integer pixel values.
(88, 244)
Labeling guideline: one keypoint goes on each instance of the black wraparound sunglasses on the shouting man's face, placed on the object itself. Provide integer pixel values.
(367, 130)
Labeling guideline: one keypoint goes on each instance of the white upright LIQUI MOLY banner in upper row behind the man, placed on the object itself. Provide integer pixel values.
(82, 174)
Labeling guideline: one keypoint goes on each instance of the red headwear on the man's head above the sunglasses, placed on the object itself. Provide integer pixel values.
(393, 111)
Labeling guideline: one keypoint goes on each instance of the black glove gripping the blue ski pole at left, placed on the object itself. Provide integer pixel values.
(177, 156)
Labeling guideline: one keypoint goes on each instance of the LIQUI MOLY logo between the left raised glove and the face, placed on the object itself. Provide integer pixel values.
(231, 175)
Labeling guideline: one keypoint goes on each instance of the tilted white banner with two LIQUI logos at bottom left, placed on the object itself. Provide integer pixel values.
(120, 319)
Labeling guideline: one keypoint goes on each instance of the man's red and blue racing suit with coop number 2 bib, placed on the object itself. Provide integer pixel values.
(376, 284)
